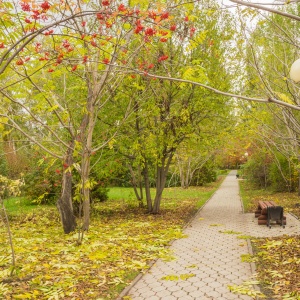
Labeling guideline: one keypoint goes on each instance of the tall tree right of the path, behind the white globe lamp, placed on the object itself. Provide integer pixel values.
(271, 49)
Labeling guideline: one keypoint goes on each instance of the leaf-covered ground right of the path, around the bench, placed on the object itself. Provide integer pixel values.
(278, 259)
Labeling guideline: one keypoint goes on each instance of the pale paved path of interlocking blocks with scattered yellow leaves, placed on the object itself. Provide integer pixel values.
(211, 253)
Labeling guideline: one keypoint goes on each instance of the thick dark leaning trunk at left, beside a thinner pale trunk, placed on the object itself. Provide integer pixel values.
(64, 203)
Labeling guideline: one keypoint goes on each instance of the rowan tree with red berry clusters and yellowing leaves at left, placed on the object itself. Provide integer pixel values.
(95, 44)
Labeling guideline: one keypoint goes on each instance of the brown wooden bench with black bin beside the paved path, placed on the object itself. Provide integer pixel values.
(264, 216)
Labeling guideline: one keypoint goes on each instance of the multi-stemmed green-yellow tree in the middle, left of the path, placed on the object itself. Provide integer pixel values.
(166, 114)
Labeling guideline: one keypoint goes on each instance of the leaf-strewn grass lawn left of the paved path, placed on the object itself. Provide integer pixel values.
(121, 242)
